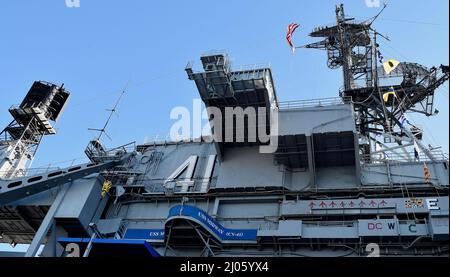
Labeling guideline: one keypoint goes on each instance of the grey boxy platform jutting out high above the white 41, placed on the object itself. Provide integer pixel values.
(222, 87)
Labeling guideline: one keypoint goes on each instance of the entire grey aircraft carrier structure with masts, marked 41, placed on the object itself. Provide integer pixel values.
(336, 177)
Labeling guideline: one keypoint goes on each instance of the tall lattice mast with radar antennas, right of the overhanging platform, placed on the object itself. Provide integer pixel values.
(353, 46)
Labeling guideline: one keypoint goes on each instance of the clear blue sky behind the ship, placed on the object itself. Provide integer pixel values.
(100, 47)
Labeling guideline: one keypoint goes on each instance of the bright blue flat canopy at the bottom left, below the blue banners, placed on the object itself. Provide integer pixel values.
(113, 247)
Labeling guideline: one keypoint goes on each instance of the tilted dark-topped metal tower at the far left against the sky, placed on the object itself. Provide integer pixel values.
(20, 140)
